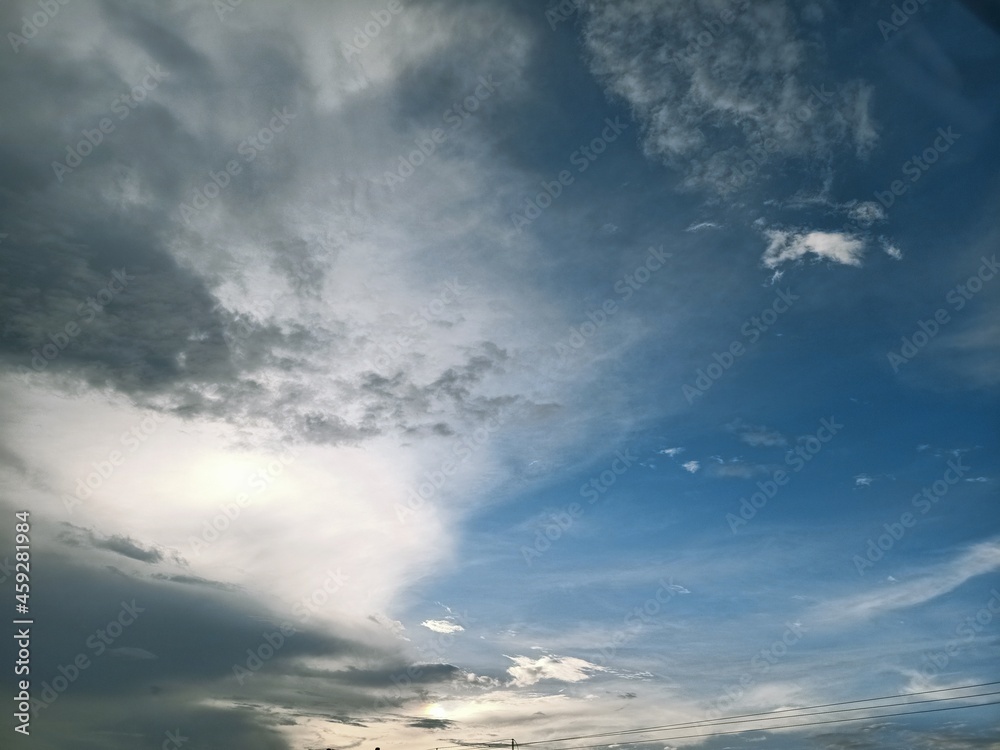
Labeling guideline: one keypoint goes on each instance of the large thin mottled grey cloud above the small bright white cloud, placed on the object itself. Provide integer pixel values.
(701, 85)
